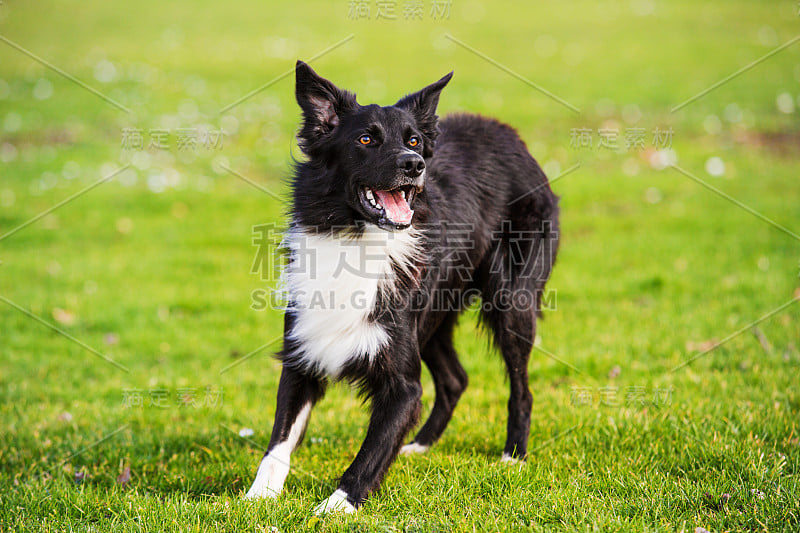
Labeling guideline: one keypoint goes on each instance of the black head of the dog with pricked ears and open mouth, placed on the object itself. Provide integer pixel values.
(373, 157)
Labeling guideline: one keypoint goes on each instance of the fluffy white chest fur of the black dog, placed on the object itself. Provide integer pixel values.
(333, 284)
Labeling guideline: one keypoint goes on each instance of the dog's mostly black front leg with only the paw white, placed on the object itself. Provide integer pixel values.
(395, 410)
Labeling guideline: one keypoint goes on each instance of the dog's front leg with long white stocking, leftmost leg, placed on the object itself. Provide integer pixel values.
(297, 393)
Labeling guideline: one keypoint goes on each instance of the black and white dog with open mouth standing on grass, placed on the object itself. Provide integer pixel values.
(395, 217)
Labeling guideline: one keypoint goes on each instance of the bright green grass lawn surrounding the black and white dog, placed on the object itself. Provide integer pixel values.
(653, 269)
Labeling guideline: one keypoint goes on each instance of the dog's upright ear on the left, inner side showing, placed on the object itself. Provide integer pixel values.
(322, 103)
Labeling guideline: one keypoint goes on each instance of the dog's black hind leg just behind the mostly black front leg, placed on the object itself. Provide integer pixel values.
(450, 380)
